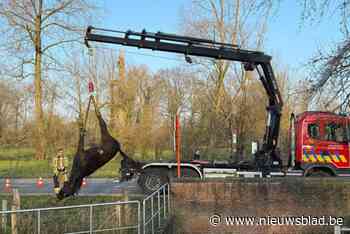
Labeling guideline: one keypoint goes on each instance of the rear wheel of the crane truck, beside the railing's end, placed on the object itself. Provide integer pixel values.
(150, 181)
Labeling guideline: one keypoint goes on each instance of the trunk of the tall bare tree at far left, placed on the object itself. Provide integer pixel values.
(39, 118)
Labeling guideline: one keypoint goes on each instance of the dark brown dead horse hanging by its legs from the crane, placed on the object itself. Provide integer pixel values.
(88, 161)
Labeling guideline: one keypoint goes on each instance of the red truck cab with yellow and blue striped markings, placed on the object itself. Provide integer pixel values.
(320, 144)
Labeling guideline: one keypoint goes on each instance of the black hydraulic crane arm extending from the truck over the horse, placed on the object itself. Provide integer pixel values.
(209, 49)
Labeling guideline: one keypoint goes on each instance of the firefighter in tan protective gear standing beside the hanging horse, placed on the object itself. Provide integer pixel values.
(60, 164)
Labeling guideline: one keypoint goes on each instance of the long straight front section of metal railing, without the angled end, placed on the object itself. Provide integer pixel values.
(70, 219)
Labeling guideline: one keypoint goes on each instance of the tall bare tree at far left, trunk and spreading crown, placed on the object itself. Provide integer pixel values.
(41, 28)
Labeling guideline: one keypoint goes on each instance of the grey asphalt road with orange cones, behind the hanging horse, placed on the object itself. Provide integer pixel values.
(100, 186)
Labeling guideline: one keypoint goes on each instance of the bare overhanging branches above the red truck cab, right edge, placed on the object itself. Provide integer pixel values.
(330, 69)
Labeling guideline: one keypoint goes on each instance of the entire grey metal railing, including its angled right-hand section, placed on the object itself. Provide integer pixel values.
(93, 218)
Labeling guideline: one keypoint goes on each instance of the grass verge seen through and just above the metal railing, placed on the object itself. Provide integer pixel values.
(72, 219)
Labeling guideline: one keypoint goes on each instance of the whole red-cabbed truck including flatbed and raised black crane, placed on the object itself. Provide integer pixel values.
(319, 140)
